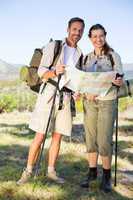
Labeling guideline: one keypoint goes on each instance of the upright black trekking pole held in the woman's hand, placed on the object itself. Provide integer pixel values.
(116, 129)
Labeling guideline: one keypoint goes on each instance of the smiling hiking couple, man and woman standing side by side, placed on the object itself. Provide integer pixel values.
(99, 113)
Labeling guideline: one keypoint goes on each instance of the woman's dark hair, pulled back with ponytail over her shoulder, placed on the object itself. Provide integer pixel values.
(106, 47)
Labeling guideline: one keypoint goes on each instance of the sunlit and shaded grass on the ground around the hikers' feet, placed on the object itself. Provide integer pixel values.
(72, 165)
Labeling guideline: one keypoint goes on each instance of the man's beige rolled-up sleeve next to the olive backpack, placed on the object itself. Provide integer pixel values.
(47, 59)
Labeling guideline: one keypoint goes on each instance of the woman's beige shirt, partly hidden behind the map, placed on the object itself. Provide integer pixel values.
(104, 64)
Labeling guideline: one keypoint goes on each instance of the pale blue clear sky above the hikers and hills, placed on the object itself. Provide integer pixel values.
(29, 24)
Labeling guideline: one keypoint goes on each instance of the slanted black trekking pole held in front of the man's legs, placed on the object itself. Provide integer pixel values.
(46, 131)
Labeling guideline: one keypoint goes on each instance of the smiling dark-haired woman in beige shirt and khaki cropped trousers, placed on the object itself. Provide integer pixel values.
(99, 112)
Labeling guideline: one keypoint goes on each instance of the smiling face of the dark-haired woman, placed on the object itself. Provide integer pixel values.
(98, 38)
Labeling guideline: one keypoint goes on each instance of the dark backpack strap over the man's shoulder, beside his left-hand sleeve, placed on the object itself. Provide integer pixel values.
(57, 51)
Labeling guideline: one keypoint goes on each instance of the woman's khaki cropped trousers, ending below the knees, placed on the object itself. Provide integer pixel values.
(99, 123)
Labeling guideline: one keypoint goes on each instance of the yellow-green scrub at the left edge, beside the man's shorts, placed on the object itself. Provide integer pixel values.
(14, 95)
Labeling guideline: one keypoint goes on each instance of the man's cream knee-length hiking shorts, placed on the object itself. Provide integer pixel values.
(61, 120)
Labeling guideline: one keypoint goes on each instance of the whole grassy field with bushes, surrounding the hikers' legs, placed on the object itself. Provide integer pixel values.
(16, 104)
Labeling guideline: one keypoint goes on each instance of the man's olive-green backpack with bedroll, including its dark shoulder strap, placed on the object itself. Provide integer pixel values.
(29, 74)
